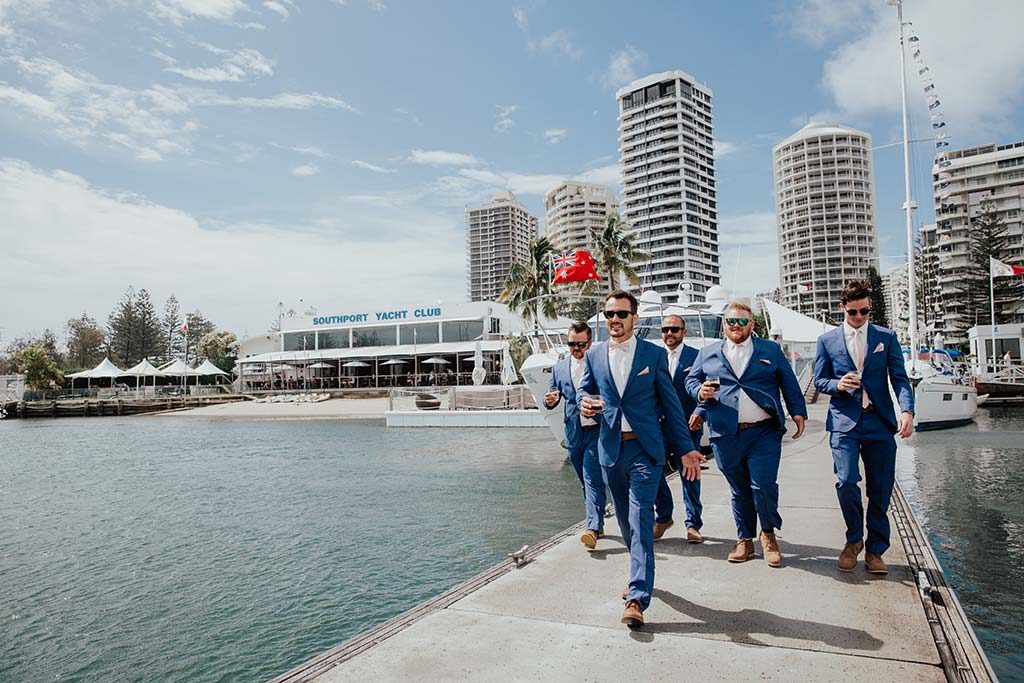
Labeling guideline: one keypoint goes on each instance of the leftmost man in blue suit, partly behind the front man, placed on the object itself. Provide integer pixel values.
(581, 433)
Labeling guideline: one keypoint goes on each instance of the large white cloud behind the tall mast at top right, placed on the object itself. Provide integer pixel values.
(980, 81)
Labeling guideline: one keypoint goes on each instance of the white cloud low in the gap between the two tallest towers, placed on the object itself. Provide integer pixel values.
(749, 253)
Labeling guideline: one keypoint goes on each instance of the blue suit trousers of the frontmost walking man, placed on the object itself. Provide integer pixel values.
(633, 483)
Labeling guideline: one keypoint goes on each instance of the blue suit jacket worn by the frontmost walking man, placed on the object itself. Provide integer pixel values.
(648, 397)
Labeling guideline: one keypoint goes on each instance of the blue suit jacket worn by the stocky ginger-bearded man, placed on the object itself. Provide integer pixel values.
(767, 373)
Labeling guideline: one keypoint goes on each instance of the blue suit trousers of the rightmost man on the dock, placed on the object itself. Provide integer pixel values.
(873, 442)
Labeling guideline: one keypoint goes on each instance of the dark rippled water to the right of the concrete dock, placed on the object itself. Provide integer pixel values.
(967, 488)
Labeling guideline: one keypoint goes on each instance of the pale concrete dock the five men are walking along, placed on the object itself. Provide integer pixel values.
(557, 618)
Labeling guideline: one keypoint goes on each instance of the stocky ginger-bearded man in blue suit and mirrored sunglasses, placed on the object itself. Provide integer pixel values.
(740, 380)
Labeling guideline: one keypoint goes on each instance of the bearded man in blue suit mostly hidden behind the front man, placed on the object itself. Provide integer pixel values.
(681, 360)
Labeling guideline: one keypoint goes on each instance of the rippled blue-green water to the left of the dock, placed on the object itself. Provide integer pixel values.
(157, 549)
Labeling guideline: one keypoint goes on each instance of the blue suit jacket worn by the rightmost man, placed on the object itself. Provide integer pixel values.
(883, 364)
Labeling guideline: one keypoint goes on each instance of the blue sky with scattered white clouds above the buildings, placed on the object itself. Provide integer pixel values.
(241, 153)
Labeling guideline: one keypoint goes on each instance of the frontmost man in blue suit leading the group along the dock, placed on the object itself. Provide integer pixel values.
(626, 385)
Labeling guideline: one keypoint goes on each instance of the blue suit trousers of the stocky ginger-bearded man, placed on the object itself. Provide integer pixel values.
(750, 462)
